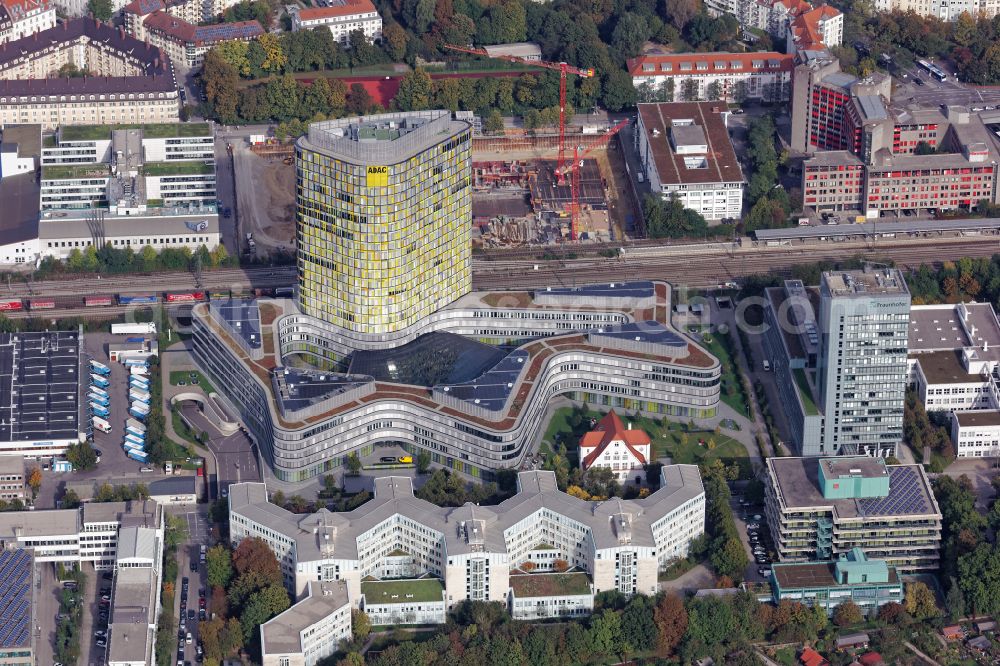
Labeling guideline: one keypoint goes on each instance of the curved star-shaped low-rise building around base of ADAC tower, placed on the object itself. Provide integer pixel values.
(476, 407)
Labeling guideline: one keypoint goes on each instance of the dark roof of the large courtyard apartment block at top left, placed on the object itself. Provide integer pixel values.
(158, 72)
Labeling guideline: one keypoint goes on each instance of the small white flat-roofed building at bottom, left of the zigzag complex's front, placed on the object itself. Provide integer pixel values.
(311, 629)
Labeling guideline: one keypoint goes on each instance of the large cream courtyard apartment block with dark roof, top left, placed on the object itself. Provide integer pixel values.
(130, 82)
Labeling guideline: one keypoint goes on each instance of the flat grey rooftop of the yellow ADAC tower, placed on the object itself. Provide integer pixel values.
(389, 138)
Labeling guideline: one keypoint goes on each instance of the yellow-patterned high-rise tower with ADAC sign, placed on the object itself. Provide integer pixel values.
(383, 219)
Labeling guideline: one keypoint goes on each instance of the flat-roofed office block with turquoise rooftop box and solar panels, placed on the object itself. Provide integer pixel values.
(819, 508)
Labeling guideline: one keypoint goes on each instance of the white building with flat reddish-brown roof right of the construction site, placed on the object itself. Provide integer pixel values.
(685, 152)
